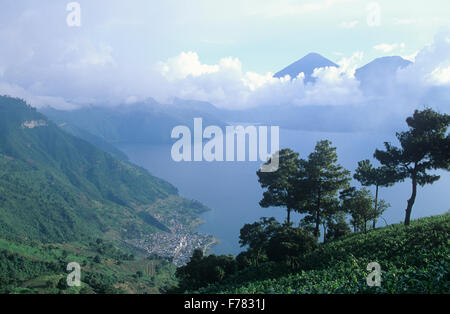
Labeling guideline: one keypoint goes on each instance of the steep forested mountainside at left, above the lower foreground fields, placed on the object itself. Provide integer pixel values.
(55, 187)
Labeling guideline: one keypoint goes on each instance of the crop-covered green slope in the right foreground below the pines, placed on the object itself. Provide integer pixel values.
(413, 259)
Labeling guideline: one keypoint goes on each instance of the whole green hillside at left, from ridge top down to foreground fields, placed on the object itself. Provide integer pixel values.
(64, 200)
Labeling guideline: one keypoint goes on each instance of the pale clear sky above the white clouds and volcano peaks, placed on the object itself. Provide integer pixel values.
(265, 35)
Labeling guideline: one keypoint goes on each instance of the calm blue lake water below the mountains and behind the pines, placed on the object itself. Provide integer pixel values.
(232, 191)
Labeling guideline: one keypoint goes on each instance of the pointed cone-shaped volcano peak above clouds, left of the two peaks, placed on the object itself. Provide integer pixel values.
(307, 64)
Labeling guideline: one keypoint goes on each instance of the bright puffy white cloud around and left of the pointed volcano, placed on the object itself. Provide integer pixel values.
(228, 86)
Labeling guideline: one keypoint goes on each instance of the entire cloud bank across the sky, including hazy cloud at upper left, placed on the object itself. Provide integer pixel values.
(64, 68)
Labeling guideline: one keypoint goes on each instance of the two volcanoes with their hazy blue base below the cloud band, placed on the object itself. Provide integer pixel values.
(373, 77)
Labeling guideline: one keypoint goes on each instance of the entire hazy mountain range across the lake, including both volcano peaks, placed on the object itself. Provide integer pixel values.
(150, 122)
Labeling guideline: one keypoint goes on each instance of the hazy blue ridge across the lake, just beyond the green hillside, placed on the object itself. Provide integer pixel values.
(147, 122)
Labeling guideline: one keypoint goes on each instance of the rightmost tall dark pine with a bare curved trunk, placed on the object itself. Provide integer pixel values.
(424, 147)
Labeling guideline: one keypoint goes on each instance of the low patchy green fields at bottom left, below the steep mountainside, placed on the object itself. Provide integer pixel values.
(31, 268)
